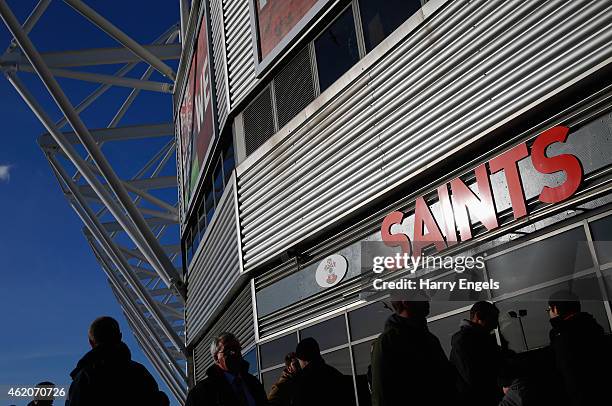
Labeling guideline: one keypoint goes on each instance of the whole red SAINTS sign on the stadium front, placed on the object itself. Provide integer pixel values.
(459, 203)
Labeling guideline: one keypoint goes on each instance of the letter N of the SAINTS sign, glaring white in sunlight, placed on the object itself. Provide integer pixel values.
(481, 207)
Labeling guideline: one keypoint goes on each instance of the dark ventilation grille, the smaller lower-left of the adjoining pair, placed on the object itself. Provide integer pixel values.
(258, 121)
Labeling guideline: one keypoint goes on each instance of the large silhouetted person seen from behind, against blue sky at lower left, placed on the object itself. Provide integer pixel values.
(106, 375)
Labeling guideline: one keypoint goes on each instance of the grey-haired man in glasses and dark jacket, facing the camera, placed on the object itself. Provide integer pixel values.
(227, 382)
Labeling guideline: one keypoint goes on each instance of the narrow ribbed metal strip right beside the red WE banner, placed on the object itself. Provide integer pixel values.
(218, 47)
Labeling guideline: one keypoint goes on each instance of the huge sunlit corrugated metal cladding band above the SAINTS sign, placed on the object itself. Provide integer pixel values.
(468, 69)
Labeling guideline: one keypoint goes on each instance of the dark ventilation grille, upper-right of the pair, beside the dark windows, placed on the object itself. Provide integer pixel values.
(294, 87)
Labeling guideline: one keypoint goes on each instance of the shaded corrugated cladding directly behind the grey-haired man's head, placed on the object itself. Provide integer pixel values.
(237, 319)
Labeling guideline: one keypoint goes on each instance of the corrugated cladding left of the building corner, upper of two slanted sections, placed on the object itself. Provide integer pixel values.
(216, 268)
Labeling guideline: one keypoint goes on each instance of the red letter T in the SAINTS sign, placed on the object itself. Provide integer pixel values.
(508, 163)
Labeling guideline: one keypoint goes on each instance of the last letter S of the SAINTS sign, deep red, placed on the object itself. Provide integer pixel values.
(564, 162)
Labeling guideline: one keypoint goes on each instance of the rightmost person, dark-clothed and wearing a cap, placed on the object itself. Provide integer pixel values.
(582, 360)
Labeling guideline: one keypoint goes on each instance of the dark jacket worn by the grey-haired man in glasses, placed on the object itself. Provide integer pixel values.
(215, 390)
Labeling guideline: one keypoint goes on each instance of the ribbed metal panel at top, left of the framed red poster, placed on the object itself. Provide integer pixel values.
(239, 47)
